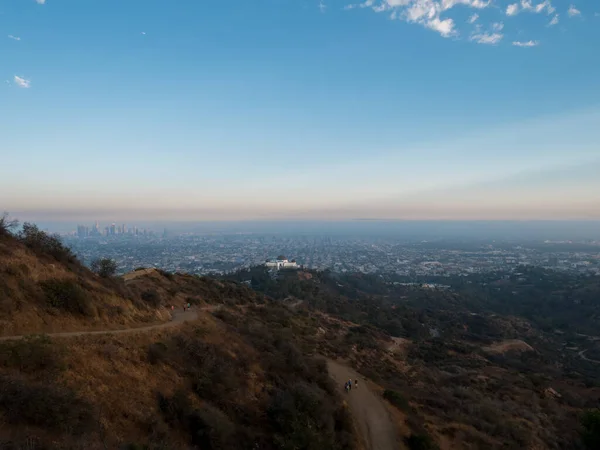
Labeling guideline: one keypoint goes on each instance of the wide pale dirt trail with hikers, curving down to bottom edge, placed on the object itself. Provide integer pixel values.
(368, 409)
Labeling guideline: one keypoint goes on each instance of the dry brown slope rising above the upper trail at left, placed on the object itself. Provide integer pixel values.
(43, 288)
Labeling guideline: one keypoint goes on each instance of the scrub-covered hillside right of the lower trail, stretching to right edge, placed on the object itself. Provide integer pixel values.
(459, 366)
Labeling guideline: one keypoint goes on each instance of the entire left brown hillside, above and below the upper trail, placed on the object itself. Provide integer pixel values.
(231, 378)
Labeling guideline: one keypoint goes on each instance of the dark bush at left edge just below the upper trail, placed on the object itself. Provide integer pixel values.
(32, 354)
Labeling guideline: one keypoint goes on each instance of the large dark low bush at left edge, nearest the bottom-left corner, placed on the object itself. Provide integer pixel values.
(44, 405)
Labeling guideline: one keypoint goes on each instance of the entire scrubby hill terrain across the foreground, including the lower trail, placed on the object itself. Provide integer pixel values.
(248, 367)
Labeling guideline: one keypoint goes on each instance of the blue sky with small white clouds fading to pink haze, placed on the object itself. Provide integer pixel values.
(191, 110)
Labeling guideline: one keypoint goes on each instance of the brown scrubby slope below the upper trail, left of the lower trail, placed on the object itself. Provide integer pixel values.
(231, 379)
